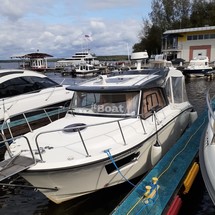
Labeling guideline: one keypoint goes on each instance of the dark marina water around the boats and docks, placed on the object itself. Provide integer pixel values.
(15, 200)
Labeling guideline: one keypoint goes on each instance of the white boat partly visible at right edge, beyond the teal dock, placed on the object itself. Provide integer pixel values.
(207, 149)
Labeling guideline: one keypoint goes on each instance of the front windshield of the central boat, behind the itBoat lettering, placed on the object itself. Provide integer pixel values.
(106, 103)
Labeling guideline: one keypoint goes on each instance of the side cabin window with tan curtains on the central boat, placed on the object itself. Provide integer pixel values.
(153, 99)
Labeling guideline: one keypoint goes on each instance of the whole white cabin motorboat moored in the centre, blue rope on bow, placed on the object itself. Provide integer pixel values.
(116, 129)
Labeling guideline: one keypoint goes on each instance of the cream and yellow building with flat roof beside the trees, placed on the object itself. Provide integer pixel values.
(189, 42)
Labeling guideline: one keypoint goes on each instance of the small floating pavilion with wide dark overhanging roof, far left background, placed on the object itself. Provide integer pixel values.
(34, 61)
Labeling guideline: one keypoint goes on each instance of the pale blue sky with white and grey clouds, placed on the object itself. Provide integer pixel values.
(61, 28)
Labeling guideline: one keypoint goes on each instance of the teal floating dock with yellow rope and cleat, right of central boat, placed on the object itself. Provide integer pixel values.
(170, 171)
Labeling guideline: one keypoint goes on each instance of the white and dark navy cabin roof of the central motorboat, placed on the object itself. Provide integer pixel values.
(126, 81)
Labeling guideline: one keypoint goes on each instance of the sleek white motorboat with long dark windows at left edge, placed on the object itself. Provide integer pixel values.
(25, 90)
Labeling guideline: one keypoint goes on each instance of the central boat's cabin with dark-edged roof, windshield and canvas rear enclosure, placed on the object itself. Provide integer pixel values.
(127, 95)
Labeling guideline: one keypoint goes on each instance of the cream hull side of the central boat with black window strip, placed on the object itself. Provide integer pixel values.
(80, 180)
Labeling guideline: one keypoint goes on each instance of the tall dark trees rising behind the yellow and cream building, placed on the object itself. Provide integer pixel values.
(171, 15)
